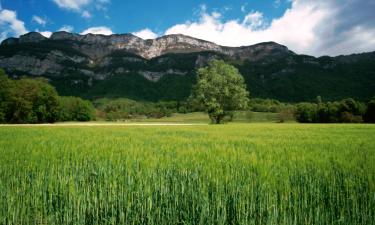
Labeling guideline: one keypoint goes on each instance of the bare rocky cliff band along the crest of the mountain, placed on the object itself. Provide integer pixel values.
(97, 46)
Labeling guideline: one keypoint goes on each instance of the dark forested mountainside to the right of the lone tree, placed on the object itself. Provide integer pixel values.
(299, 78)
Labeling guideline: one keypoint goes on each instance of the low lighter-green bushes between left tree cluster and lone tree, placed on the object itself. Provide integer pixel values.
(125, 109)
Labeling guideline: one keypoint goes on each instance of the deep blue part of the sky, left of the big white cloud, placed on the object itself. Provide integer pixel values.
(130, 16)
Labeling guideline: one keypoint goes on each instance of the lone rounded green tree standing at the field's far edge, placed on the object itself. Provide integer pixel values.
(220, 89)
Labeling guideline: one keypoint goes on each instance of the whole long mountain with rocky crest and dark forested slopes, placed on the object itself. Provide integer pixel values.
(125, 65)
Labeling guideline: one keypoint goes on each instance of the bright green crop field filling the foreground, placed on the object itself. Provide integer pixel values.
(227, 174)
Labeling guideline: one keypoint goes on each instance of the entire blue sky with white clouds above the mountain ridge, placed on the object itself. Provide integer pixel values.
(313, 27)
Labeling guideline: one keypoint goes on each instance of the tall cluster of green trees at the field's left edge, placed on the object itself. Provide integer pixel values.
(35, 101)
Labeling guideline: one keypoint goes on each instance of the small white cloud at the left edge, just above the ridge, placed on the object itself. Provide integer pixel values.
(10, 24)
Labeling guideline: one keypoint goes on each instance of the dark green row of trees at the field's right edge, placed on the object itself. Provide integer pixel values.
(345, 111)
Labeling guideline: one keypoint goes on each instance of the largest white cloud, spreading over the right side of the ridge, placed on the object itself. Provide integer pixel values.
(308, 27)
